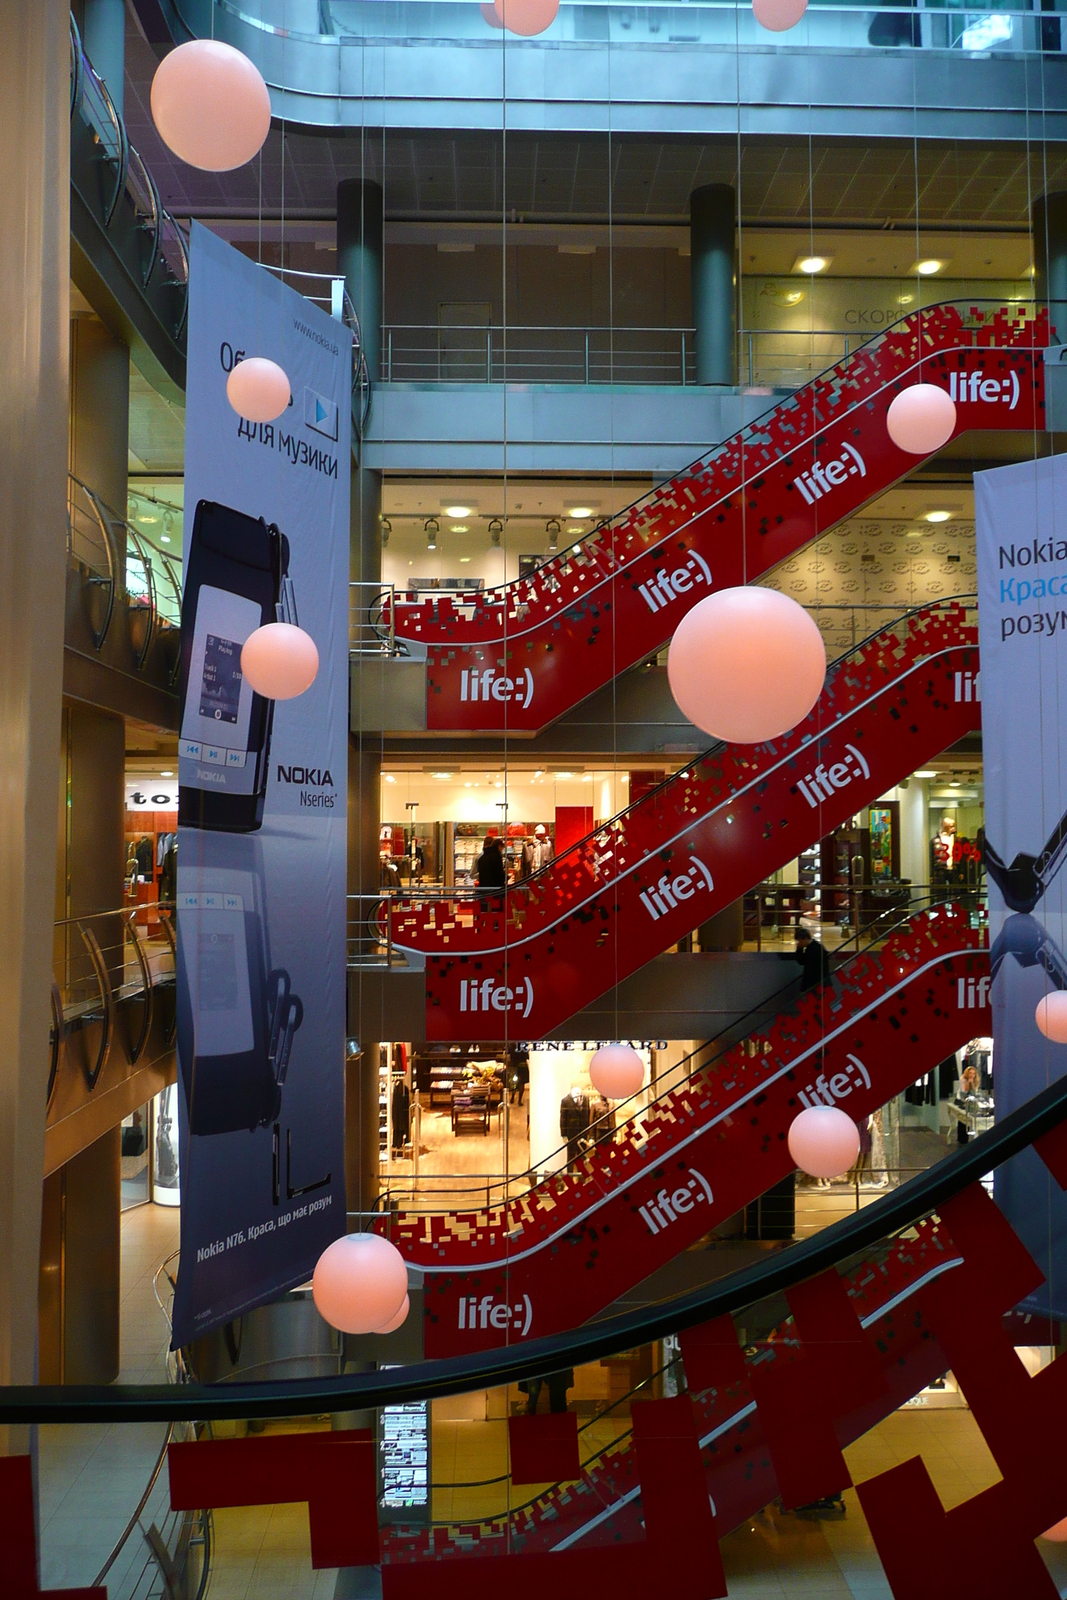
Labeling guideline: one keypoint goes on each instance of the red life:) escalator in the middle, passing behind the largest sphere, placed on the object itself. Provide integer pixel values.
(521, 964)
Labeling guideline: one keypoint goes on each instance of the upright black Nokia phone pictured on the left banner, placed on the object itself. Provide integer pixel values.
(236, 582)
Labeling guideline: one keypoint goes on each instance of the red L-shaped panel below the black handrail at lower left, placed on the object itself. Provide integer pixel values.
(332, 1471)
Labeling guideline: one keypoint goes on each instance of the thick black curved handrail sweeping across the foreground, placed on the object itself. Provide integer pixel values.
(492, 1369)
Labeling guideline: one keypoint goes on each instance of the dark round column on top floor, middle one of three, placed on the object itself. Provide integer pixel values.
(714, 276)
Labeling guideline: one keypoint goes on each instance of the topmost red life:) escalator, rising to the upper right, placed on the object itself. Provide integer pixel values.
(519, 657)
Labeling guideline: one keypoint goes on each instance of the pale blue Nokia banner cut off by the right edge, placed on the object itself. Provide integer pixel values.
(1021, 522)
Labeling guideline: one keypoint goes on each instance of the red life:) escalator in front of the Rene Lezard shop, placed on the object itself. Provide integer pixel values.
(676, 1170)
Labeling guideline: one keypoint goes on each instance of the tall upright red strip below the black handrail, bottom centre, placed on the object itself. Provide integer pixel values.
(679, 1521)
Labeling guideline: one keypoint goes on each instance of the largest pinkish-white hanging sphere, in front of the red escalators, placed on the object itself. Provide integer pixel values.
(746, 665)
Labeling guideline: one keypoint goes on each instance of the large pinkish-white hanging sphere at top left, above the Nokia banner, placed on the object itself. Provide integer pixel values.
(210, 106)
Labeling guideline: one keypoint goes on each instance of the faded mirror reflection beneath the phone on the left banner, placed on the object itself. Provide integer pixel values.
(236, 1012)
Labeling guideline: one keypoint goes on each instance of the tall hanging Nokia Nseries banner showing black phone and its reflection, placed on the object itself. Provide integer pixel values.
(262, 830)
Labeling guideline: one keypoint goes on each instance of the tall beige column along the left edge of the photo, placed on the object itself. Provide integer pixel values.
(34, 334)
